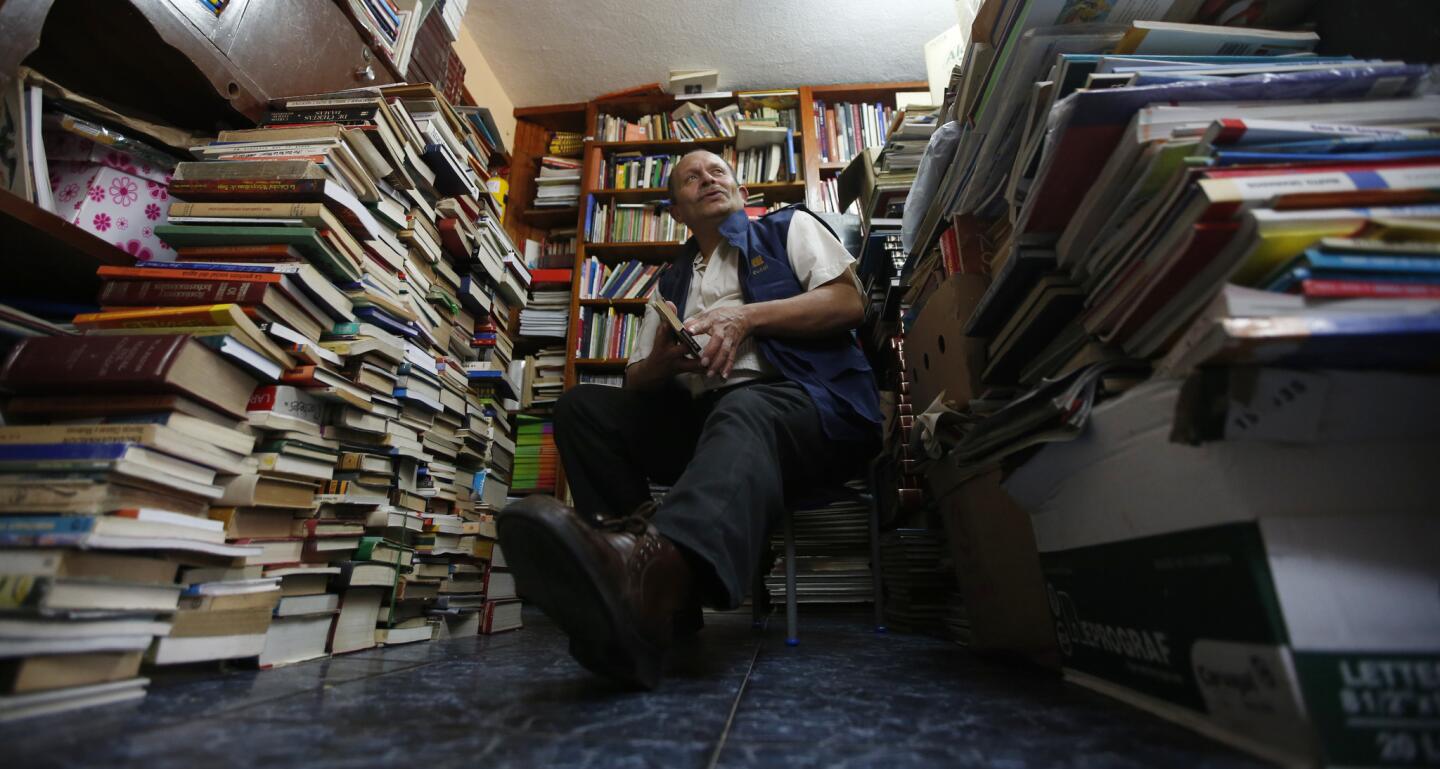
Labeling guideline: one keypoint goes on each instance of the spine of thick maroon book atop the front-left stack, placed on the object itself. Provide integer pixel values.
(90, 364)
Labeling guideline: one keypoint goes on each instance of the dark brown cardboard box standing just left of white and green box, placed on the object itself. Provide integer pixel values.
(999, 571)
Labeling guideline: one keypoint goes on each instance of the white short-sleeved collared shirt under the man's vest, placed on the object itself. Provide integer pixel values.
(816, 257)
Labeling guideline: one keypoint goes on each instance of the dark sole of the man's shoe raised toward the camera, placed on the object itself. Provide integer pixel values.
(552, 571)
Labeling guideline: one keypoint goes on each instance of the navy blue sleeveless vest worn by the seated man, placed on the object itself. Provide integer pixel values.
(832, 369)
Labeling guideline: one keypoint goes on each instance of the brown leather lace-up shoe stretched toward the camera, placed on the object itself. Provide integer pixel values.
(614, 590)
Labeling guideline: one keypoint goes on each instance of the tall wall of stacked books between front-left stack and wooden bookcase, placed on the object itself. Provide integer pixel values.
(382, 276)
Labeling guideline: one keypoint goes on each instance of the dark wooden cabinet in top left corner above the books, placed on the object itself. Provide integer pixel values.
(182, 64)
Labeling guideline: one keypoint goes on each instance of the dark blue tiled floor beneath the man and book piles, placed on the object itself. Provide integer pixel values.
(846, 698)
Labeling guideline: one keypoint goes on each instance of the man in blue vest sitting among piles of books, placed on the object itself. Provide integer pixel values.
(780, 401)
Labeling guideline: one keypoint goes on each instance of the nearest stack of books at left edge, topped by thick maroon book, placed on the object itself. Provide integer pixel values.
(107, 500)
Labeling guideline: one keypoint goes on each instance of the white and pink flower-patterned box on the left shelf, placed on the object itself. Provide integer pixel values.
(112, 195)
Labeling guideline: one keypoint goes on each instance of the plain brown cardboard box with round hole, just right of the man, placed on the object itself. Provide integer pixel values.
(938, 354)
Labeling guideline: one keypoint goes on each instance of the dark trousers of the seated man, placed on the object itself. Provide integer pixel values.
(734, 459)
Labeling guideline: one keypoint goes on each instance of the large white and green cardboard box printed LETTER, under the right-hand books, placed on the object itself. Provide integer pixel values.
(1279, 597)
